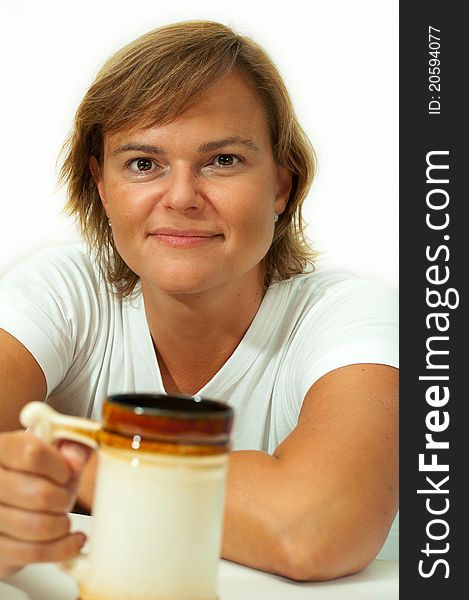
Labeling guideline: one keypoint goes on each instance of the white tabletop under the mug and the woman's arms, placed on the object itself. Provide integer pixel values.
(379, 581)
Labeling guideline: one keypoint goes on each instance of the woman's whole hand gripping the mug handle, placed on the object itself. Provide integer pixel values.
(38, 485)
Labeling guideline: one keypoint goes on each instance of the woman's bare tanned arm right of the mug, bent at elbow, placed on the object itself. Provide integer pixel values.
(321, 507)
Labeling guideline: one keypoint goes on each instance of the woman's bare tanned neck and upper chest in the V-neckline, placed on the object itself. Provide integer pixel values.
(195, 334)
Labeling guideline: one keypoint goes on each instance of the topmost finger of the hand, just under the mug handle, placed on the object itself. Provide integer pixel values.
(22, 451)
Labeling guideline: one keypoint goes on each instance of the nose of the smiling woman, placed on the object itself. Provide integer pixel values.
(183, 190)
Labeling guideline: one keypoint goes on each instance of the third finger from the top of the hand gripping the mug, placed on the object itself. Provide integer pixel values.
(29, 526)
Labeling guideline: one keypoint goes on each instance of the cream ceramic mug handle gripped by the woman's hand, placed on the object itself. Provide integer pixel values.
(50, 425)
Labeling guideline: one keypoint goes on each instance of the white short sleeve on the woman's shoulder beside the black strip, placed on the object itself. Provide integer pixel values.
(351, 322)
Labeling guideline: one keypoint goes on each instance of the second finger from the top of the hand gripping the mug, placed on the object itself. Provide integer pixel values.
(22, 490)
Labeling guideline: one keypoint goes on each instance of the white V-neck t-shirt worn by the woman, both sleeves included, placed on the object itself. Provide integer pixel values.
(90, 343)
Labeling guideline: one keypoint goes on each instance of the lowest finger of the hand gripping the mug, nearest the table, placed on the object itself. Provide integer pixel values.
(20, 553)
